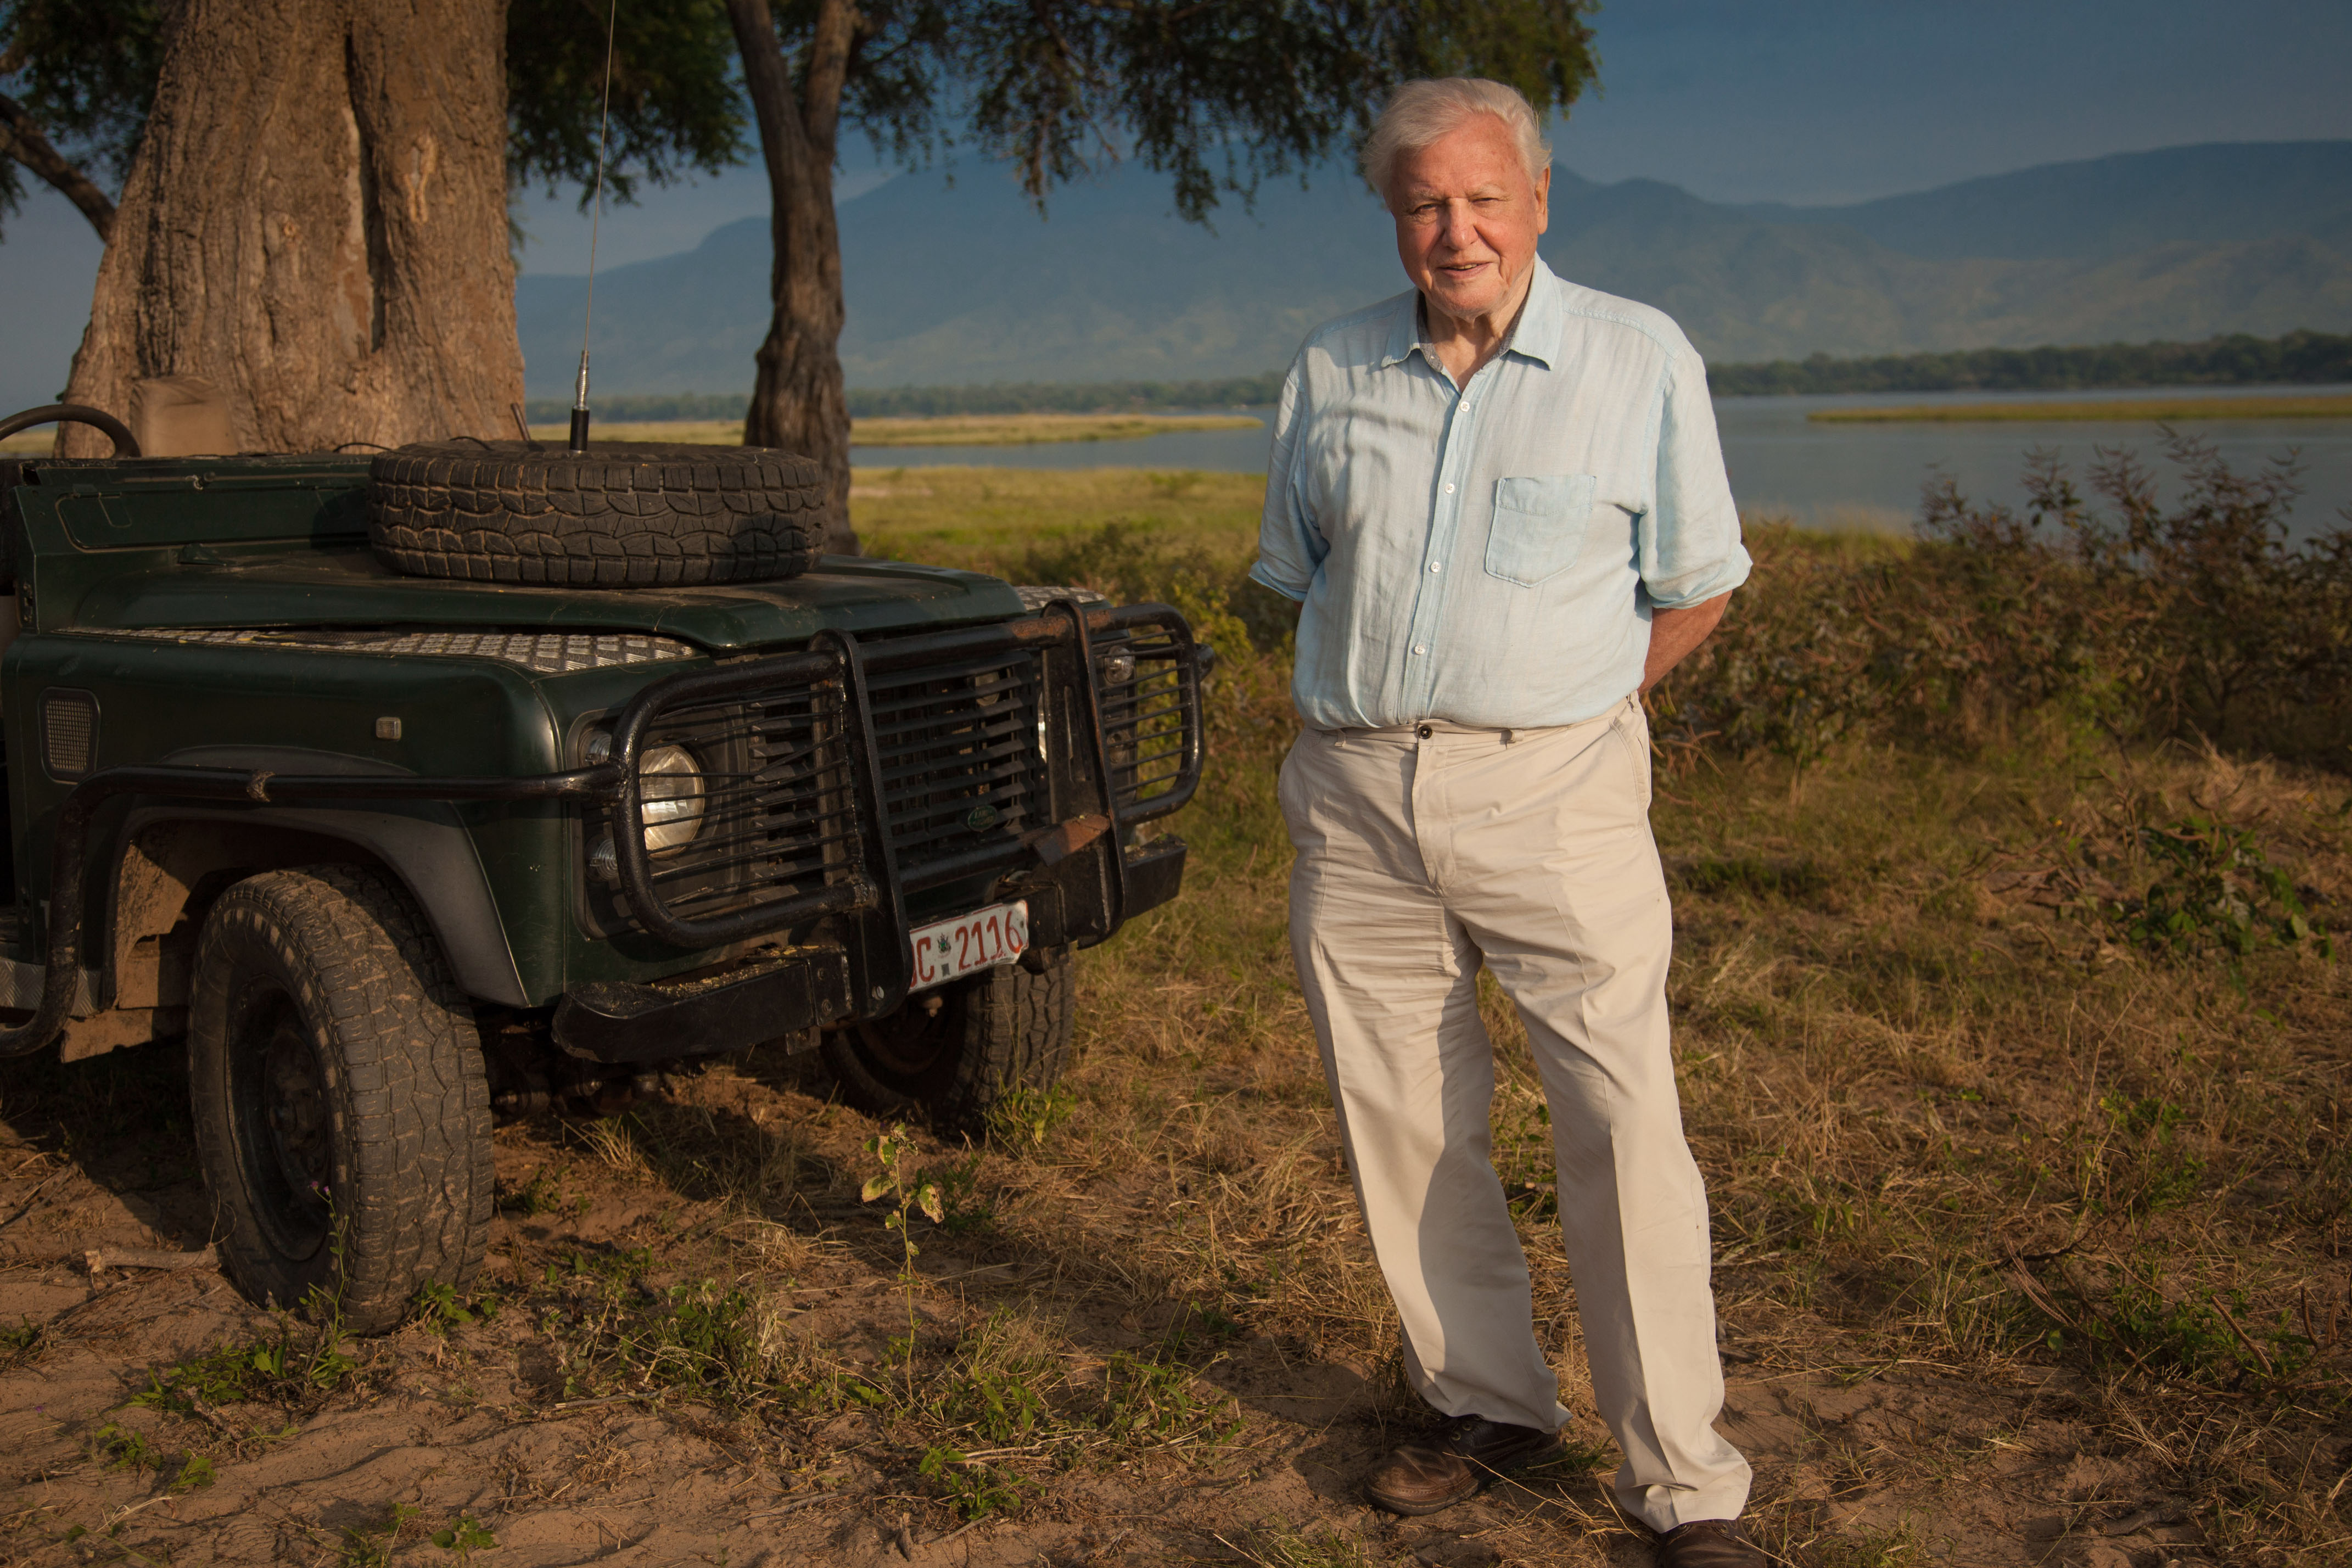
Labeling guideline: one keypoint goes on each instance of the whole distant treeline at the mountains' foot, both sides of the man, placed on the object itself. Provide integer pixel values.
(2236, 361)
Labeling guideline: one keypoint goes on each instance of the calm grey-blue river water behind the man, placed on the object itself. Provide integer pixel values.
(1824, 476)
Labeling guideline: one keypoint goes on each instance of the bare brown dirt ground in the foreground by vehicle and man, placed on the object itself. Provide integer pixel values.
(488, 1421)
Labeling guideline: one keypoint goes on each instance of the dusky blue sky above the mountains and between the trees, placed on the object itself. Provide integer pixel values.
(1737, 100)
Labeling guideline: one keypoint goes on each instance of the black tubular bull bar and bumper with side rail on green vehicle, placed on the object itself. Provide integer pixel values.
(1015, 756)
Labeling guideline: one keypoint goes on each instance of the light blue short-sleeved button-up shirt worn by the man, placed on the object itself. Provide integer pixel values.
(1492, 554)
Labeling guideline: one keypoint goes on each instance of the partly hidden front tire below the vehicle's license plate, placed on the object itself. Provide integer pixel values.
(989, 1036)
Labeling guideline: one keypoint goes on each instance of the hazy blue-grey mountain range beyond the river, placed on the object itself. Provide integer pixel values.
(963, 283)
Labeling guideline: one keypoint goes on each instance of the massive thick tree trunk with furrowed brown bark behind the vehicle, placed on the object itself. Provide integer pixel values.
(312, 243)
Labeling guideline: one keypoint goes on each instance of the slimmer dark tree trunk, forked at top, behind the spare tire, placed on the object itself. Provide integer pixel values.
(799, 398)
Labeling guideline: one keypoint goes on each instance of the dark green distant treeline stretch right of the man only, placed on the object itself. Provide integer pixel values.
(2236, 361)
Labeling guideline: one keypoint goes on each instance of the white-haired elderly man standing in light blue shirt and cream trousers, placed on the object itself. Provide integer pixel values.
(1504, 509)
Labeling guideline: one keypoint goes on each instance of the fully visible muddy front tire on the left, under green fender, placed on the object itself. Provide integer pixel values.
(338, 1085)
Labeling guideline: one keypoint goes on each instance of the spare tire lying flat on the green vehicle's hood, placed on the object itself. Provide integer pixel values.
(620, 516)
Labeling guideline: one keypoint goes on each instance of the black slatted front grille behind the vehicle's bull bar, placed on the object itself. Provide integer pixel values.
(958, 753)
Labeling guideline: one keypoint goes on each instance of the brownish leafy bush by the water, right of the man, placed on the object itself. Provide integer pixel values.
(2200, 619)
